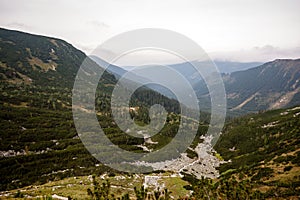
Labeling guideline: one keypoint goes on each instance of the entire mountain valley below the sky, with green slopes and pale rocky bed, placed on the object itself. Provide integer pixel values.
(42, 156)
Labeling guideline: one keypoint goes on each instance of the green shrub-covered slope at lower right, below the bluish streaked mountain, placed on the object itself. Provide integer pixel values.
(264, 148)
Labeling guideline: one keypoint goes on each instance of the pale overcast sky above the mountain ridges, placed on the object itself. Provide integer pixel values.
(232, 30)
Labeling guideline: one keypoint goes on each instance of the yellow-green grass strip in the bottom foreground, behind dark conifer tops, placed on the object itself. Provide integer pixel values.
(76, 187)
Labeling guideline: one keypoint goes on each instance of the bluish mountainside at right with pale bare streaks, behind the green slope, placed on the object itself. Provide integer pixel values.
(272, 85)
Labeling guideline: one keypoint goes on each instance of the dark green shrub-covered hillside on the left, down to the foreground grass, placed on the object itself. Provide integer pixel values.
(39, 142)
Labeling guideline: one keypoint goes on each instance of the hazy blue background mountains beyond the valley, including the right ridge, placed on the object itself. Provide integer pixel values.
(271, 85)
